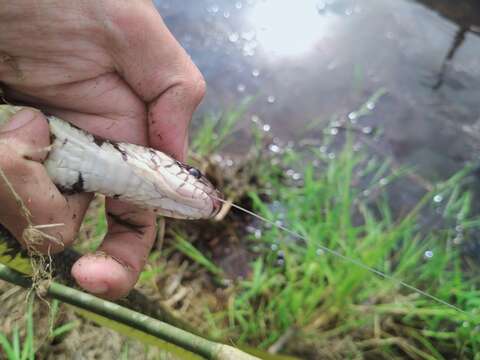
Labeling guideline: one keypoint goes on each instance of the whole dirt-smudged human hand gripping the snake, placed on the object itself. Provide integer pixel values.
(112, 68)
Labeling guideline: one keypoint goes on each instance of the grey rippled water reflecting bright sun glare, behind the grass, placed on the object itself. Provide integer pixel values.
(317, 60)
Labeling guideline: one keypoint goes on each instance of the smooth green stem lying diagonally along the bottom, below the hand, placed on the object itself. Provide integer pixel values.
(159, 329)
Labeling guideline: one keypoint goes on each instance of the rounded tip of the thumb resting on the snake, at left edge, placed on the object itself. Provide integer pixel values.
(28, 133)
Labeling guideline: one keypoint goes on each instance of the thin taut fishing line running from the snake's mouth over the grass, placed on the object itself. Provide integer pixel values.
(346, 258)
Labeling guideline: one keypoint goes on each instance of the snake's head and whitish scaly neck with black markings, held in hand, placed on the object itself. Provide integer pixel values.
(78, 161)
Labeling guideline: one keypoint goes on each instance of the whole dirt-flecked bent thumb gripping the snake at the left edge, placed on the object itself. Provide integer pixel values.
(27, 134)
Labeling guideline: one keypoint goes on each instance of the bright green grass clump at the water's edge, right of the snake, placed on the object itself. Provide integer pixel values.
(301, 297)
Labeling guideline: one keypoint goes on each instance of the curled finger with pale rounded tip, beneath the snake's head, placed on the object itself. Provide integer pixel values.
(115, 268)
